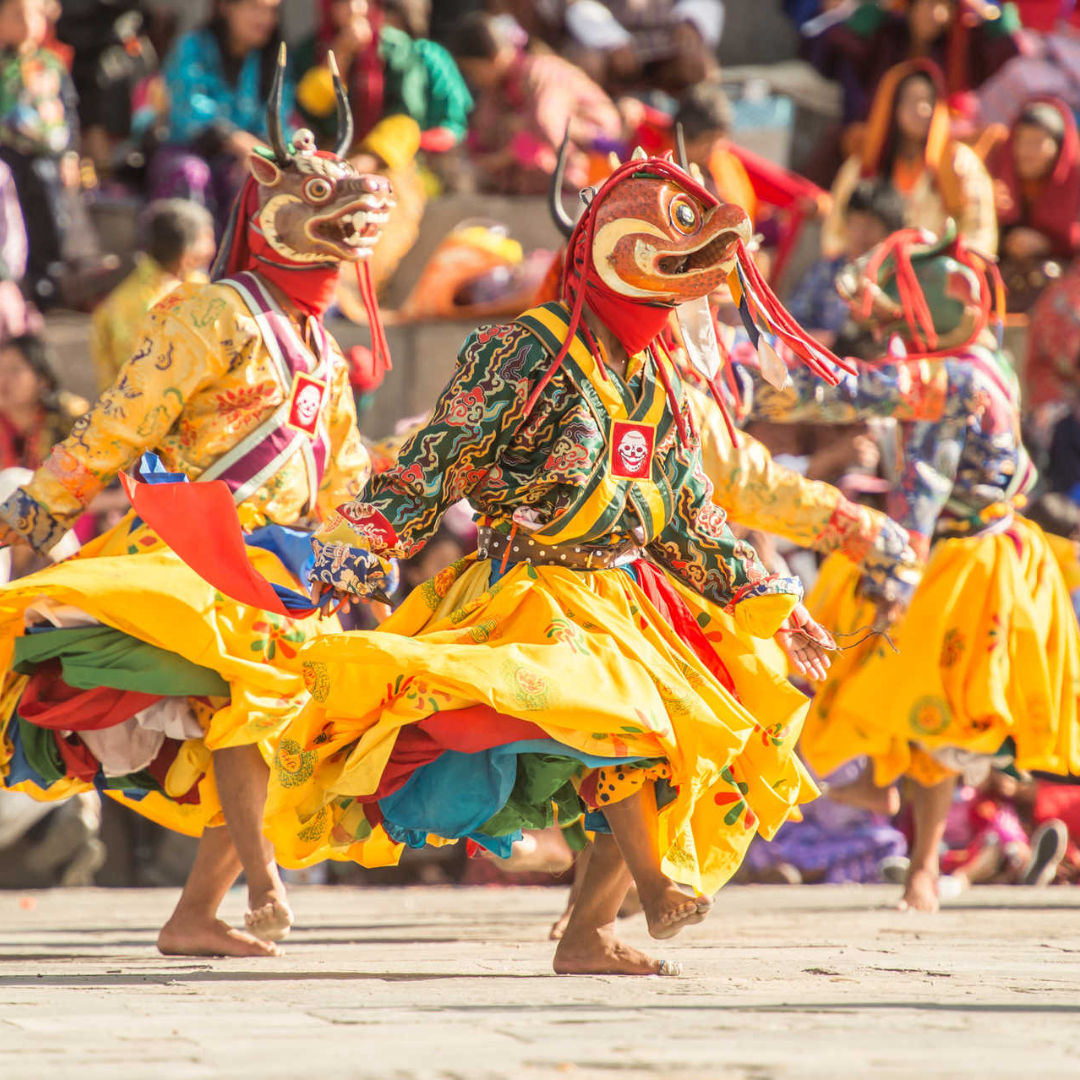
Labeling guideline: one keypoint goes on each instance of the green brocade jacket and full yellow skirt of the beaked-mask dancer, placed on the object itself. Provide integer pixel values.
(495, 692)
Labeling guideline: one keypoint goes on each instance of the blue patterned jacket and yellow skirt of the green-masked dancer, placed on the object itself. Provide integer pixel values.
(989, 649)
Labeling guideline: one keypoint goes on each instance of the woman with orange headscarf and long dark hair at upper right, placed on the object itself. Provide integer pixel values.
(908, 143)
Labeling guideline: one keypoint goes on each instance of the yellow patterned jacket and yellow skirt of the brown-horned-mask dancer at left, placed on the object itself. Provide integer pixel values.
(200, 382)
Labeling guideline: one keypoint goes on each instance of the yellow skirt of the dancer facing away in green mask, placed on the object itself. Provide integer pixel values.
(989, 651)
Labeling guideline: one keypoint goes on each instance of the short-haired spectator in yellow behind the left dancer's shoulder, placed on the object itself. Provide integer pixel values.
(180, 249)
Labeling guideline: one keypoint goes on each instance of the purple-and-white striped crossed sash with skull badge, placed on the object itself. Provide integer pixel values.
(298, 425)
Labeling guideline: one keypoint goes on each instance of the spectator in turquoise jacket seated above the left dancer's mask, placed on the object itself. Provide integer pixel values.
(219, 79)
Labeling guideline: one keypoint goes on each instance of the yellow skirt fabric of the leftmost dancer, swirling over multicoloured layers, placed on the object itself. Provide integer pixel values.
(130, 580)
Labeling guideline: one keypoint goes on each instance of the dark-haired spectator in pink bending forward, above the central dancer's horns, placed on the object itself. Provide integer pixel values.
(525, 104)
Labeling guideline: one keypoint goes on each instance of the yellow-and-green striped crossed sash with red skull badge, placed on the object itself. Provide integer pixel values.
(638, 435)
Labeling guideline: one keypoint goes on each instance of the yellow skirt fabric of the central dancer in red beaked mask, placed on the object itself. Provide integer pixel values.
(585, 657)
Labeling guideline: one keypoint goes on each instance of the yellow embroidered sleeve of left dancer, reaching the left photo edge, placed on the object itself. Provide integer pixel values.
(170, 366)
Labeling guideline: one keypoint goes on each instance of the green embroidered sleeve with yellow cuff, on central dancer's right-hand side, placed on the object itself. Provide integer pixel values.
(698, 547)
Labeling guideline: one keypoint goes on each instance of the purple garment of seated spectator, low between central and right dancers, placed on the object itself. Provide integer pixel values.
(845, 844)
